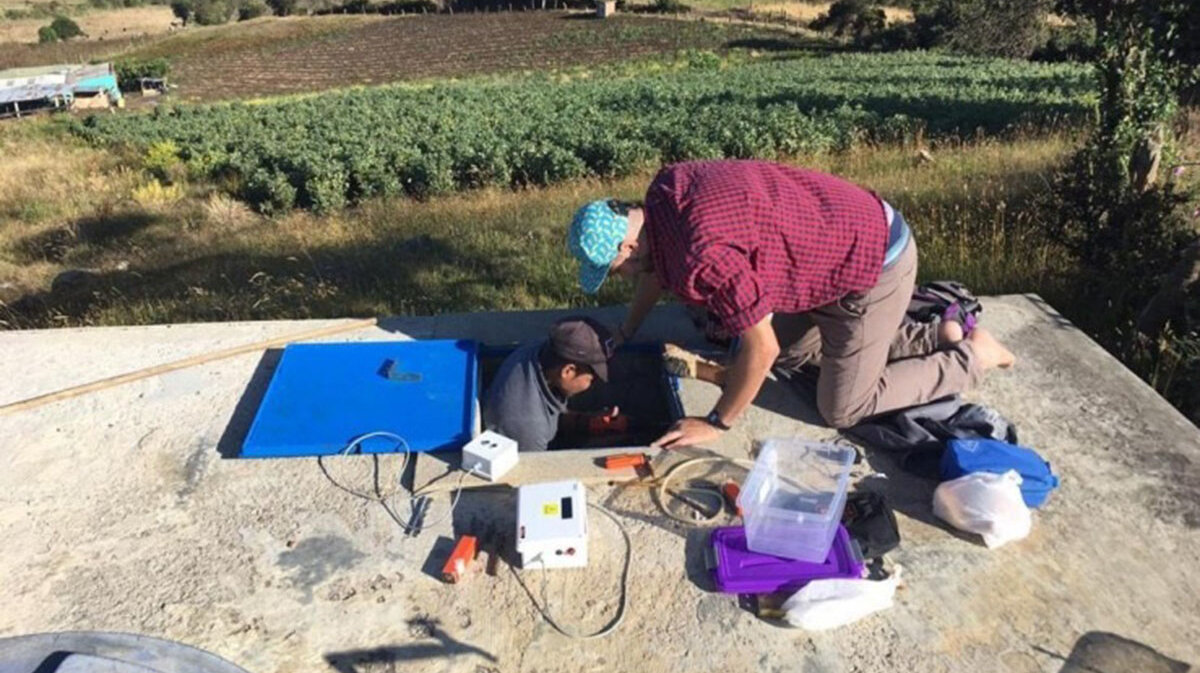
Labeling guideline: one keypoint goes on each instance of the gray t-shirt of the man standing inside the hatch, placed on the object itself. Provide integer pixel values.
(520, 404)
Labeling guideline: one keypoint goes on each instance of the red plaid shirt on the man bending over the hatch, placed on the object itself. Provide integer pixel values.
(751, 238)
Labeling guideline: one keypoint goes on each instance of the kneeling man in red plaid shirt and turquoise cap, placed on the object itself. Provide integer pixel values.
(803, 268)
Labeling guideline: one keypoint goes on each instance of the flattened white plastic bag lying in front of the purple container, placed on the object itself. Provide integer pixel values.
(829, 604)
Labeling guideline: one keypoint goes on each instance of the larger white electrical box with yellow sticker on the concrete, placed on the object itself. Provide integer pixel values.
(553, 525)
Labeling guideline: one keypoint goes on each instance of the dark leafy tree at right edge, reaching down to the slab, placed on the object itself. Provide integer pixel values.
(1126, 223)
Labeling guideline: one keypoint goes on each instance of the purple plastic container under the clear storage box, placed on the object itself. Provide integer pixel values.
(739, 570)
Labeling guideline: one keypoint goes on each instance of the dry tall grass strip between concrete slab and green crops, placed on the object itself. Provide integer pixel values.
(206, 259)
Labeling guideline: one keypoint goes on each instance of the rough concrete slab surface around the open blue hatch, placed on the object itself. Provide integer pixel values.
(121, 514)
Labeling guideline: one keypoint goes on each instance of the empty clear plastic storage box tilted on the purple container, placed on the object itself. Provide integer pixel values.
(794, 498)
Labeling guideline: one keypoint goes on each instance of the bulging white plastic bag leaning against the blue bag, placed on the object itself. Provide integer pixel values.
(986, 503)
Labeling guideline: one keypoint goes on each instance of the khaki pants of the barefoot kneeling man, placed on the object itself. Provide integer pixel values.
(872, 359)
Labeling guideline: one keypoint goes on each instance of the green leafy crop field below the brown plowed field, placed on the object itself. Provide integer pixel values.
(326, 152)
